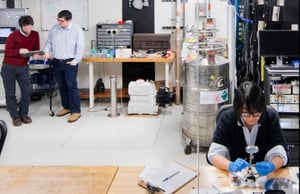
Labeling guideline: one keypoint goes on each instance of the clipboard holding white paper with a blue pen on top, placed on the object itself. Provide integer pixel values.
(167, 179)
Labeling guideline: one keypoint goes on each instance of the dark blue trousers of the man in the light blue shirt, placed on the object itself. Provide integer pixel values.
(66, 77)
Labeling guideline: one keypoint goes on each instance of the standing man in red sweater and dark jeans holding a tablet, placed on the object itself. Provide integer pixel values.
(15, 69)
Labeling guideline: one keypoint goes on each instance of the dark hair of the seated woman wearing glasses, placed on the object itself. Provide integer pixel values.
(250, 95)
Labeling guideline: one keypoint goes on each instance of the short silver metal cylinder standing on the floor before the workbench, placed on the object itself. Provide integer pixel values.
(113, 97)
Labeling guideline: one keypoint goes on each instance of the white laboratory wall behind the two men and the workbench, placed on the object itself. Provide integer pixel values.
(111, 11)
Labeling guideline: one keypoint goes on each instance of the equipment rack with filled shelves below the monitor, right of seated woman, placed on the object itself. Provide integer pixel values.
(281, 89)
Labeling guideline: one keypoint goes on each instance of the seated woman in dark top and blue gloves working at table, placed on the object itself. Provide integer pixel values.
(248, 122)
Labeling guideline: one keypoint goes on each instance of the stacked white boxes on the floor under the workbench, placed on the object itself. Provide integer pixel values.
(142, 97)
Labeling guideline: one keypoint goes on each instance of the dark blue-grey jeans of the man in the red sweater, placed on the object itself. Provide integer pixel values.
(12, 75)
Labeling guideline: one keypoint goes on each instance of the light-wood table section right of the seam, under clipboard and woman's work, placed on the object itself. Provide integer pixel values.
(127, 178)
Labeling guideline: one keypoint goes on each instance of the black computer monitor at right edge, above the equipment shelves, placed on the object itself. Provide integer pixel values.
(274, 43)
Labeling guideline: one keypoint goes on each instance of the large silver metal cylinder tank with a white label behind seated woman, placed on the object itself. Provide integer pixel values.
(205, 88)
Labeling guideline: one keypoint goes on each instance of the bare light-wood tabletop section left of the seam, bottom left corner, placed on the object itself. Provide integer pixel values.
(56, 179)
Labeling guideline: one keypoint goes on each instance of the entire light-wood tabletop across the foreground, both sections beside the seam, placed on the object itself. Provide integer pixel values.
(99, 179)
